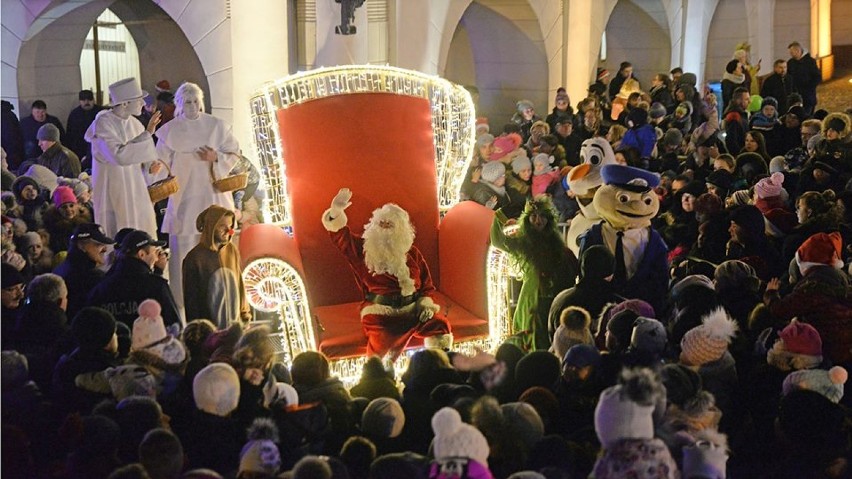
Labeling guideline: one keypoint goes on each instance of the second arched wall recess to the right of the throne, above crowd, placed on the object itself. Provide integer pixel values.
(638, 31)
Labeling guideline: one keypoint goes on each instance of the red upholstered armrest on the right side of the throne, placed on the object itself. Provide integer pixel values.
(463, 241)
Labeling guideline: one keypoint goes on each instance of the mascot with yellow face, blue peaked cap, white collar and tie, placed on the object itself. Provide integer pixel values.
(627, 203)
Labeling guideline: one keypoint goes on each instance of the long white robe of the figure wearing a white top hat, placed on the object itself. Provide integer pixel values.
(121, 149)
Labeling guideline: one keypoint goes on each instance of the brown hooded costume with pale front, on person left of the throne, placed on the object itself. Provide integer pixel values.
(212, 276)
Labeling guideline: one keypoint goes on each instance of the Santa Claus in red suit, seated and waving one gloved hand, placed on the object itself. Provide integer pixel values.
(394, 277)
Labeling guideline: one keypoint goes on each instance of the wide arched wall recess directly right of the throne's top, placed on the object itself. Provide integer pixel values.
(499, 47)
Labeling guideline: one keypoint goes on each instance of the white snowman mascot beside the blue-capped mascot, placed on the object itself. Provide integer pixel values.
(584, 180)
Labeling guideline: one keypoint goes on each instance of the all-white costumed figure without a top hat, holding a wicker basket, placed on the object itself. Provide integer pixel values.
(191, 144)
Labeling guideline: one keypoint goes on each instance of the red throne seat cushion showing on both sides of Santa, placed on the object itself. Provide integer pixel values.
(342, 336)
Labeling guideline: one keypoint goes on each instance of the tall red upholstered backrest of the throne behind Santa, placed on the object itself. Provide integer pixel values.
(380, 145)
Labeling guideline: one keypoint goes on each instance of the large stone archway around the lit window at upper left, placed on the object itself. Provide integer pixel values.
(189, 42)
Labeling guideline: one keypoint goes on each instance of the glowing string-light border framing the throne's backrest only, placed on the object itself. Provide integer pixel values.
(453, 121)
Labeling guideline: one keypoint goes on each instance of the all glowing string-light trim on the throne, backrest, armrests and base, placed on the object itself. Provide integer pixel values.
(453, 126)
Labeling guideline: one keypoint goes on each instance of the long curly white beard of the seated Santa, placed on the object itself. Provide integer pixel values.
(385, 251)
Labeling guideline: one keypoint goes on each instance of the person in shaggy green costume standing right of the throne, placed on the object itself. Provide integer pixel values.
(547, 265)
